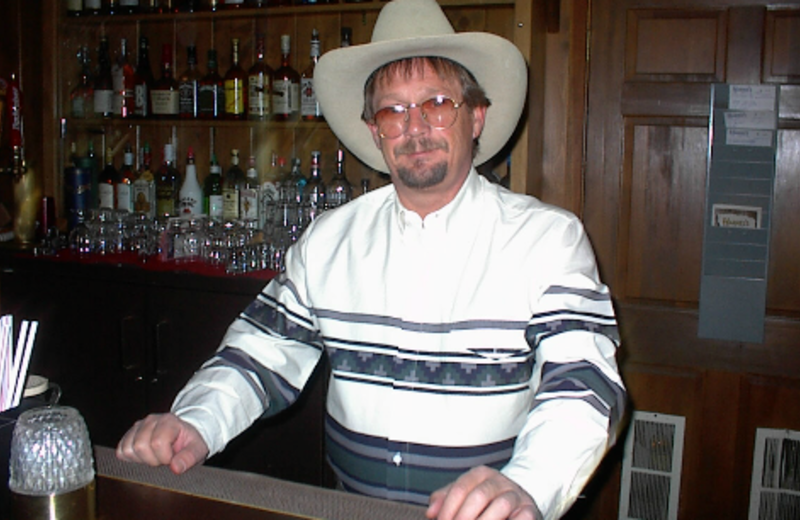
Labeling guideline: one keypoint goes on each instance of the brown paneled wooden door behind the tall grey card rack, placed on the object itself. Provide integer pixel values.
(651, 65)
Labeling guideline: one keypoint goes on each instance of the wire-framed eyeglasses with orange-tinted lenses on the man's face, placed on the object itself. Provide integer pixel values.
(440, 112)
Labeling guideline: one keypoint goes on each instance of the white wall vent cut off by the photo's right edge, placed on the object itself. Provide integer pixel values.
(775, 485)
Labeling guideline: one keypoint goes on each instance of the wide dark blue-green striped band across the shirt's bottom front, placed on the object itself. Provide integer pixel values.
(400, 470)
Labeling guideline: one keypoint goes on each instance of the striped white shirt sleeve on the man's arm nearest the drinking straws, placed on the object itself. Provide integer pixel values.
(263, 362)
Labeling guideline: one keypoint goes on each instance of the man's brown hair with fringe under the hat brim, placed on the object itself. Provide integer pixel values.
(472, 94)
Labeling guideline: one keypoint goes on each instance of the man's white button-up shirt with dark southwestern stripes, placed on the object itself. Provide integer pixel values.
(480, 335)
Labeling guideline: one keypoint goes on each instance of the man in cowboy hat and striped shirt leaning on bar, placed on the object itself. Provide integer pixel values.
(471, 342)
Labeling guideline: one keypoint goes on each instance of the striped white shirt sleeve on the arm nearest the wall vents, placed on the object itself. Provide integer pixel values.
(579, 397)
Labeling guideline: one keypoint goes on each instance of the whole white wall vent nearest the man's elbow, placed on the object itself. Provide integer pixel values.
(651, 467)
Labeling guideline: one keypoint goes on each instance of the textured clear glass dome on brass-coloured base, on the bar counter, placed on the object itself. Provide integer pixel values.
(51, 467)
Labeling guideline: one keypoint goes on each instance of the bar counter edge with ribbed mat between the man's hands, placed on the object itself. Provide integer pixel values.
(127, 491)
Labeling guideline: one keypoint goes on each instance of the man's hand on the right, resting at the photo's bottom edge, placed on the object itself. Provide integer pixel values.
(482, 493)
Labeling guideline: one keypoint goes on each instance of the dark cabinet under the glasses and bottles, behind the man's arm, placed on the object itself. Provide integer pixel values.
(122, 341)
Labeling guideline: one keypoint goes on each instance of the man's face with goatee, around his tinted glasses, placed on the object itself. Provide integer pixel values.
(424, 159)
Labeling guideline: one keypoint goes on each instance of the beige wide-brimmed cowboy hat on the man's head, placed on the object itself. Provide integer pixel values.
(408, 28)
